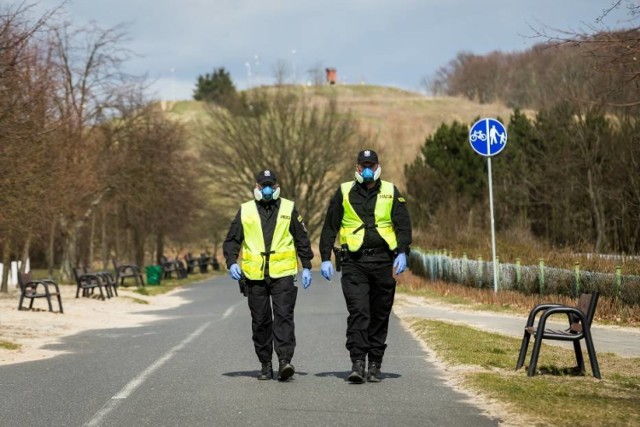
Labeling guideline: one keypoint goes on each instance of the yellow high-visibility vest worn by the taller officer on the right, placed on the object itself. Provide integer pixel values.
(352, 227)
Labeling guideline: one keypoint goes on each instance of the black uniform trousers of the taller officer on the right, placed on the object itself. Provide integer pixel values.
(369, 289)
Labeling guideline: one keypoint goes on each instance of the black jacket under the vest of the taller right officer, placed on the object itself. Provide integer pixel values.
(363, 201)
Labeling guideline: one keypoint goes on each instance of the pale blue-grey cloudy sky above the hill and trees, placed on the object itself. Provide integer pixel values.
(381, 42)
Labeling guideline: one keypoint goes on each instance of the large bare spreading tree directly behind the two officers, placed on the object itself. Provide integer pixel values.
(309, 145)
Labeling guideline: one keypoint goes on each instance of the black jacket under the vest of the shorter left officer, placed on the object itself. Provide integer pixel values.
(268, 215)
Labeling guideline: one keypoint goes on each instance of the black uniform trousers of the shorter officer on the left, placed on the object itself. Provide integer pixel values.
(273, 328)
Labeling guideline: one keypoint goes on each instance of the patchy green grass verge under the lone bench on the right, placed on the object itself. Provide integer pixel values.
(556, 397)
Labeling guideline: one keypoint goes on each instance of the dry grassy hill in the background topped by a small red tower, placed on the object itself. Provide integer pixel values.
(398, 120)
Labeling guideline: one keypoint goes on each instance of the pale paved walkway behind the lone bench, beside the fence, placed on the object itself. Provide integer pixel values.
(607, 339)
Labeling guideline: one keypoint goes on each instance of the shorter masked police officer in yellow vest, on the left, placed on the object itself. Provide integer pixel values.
(272, 235)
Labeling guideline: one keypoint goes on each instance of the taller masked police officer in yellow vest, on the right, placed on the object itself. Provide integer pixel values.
(372, 221)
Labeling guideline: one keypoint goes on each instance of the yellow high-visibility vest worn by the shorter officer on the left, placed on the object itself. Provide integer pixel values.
(282, 259)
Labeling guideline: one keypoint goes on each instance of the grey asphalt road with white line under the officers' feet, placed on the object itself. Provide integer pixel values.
(197, 367)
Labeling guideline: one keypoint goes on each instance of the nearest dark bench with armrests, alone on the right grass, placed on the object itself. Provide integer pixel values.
(579, 328)
